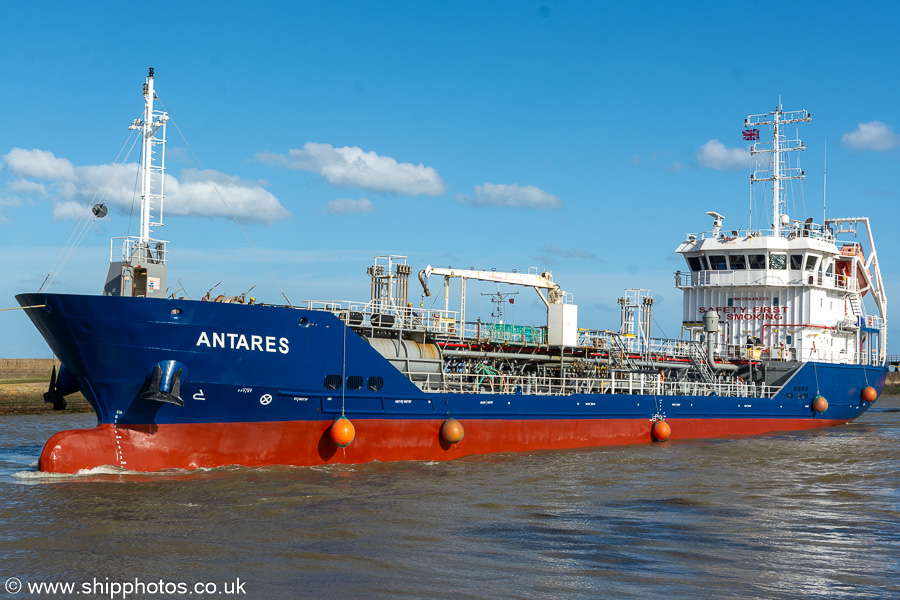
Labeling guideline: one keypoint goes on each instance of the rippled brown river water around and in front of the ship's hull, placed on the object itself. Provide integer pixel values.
(811, 514)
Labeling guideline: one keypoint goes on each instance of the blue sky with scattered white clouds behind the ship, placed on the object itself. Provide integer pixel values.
(583, 137)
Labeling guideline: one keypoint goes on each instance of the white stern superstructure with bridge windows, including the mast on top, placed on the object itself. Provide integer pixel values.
(794, 291)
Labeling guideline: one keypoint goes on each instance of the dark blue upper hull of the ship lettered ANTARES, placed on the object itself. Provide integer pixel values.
(244, 364)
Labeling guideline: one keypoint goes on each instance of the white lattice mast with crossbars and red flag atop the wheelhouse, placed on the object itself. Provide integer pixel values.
(779, 172)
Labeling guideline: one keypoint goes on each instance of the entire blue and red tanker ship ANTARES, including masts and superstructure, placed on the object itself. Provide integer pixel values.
(777, 335)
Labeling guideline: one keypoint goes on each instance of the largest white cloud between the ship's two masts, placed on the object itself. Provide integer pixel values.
(353, 167)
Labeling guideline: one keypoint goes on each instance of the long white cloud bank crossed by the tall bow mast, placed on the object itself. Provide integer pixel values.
(72, 189)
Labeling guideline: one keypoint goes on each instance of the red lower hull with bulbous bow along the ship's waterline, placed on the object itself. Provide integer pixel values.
(306, 443)
